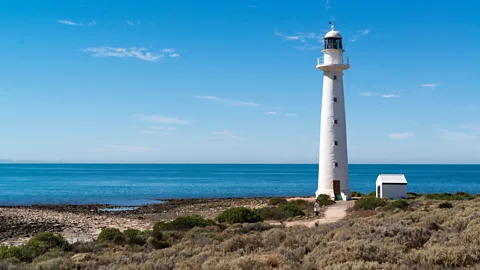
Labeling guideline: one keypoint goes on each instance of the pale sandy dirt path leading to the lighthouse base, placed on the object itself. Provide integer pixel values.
(333, 214)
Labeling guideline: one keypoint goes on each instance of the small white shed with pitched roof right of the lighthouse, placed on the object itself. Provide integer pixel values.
(391, 186)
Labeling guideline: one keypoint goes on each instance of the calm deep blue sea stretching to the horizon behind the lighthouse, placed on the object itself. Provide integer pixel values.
(135, 184)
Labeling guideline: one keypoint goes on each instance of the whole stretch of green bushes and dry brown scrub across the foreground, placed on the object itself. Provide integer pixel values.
(426, 236)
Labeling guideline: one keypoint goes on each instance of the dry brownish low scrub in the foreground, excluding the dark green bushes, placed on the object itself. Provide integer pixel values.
(422, 237)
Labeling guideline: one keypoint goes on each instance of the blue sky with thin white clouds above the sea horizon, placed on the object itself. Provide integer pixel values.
(235, 81)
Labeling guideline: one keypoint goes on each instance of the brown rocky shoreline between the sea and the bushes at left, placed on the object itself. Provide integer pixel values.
(83, 222)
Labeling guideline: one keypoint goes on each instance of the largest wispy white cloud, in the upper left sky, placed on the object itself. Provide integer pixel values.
(133, 52)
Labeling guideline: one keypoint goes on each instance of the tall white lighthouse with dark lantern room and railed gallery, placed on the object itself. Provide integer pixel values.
(333, 157)
